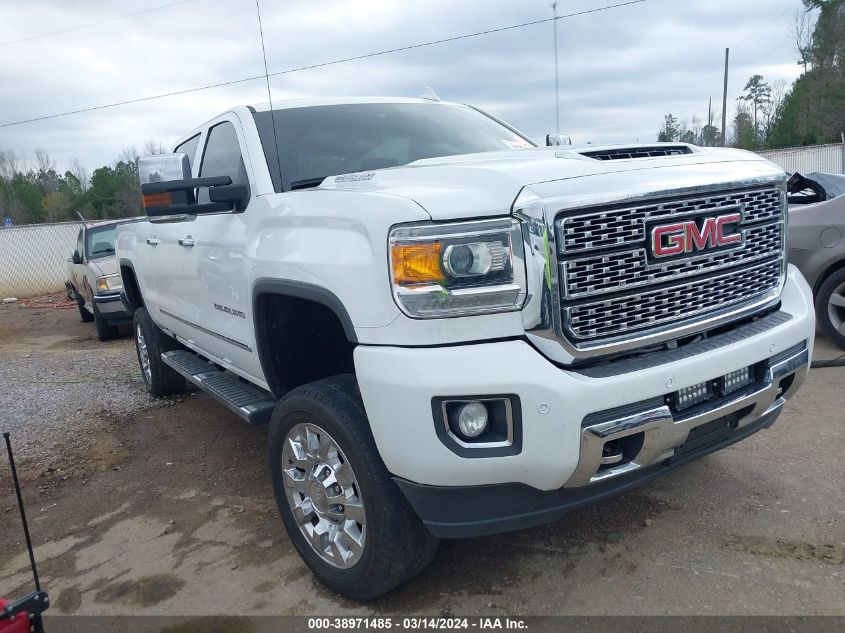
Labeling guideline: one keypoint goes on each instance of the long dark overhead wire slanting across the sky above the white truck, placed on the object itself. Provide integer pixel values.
(324, 64)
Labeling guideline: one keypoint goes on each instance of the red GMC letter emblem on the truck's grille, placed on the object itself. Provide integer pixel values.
(687, 237)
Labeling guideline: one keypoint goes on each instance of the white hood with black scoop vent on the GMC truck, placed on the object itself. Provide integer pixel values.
(484, 185)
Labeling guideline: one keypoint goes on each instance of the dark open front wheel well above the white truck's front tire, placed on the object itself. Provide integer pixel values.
(309, 316)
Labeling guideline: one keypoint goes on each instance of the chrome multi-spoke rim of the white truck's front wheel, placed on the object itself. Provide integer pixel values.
(323, 495)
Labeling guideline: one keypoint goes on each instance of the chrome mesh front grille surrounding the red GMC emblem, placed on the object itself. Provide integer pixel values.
(611, 287)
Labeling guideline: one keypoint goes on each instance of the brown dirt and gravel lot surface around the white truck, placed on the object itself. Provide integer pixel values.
(165, 507)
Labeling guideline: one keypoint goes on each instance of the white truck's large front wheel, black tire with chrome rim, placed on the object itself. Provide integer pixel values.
(345, 515)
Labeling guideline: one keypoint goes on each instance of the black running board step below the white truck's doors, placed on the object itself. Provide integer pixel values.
(247, 401)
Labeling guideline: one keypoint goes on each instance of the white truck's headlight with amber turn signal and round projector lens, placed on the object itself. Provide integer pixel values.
(458, 269)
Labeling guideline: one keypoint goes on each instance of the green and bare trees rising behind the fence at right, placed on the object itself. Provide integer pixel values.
(774, 115)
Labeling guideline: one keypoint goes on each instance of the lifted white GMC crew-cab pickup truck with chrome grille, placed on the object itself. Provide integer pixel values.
(451, 331)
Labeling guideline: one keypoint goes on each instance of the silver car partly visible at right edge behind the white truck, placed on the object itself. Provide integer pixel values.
(817, 245)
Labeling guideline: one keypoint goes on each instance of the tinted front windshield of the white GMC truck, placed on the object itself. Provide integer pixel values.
(320, 141)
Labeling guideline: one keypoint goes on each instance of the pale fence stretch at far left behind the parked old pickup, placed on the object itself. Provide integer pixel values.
(33, 258)
